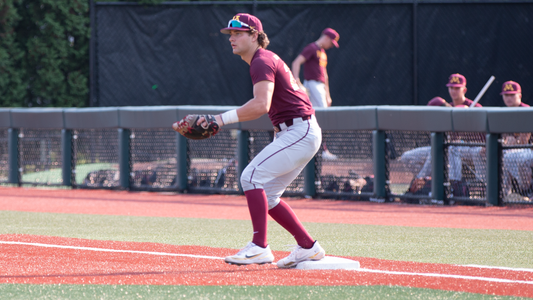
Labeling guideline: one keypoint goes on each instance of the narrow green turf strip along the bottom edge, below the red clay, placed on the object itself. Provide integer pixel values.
(66, 291)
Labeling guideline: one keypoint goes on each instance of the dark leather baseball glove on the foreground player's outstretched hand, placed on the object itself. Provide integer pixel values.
(189, 129)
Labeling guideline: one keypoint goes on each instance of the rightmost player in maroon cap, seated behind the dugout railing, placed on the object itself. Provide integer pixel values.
(517, 163)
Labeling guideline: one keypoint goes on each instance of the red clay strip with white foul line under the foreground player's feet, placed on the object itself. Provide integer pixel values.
(38, 265)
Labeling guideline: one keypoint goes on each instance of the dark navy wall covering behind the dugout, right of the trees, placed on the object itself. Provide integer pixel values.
(174, 54)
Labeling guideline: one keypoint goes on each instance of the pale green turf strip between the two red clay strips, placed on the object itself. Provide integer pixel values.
(504, 248)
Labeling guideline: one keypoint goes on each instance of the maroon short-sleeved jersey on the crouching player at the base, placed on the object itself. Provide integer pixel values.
(289, 101)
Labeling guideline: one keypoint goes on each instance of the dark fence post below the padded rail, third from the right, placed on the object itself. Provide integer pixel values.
(378, 147)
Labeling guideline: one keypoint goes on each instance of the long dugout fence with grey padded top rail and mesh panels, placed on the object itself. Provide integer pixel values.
(134, 148)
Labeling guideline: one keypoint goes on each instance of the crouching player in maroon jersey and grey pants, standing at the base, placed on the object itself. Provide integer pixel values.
(297, 139)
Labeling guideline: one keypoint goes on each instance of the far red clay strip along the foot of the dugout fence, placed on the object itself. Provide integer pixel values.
(234, 207)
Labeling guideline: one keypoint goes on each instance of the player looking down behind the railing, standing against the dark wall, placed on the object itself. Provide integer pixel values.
(315, 60)
